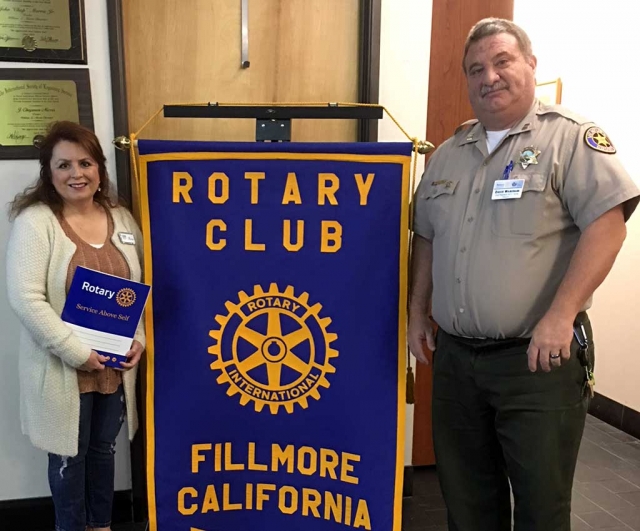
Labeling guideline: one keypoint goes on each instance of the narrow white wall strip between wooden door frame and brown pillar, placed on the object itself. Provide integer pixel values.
(405, 47)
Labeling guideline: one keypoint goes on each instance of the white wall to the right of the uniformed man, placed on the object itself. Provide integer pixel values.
(592, 49)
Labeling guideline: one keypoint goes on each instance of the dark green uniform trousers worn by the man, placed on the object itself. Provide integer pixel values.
(495, 423)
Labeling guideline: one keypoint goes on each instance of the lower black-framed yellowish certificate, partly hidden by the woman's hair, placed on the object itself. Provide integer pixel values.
(30, 99)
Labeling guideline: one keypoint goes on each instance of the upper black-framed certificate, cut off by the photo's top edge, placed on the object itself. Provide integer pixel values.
(44, 31)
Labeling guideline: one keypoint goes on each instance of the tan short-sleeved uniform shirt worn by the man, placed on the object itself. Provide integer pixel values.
(497, 264)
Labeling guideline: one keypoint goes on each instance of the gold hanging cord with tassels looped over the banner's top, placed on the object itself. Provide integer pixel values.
(420, 147)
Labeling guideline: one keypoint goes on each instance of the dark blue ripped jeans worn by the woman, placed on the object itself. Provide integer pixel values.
(82, 486)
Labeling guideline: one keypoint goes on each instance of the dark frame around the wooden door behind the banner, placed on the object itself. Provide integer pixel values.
(368, 92)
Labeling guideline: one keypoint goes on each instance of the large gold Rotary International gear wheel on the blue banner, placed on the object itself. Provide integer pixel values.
(273, 348)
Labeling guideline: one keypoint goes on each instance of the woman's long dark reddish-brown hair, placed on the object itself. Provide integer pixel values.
(43, 190)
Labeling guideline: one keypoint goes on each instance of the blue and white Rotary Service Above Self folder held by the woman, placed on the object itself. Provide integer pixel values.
(104, 312)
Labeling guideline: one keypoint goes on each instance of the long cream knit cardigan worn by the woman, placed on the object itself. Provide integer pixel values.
(38, 258)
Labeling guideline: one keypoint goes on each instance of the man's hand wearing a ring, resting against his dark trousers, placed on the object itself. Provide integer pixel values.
(551, 342)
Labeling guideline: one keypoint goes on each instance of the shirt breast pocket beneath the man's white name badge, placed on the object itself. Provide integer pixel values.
(517, 218)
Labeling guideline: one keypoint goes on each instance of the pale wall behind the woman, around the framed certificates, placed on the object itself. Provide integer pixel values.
(23, 469)
